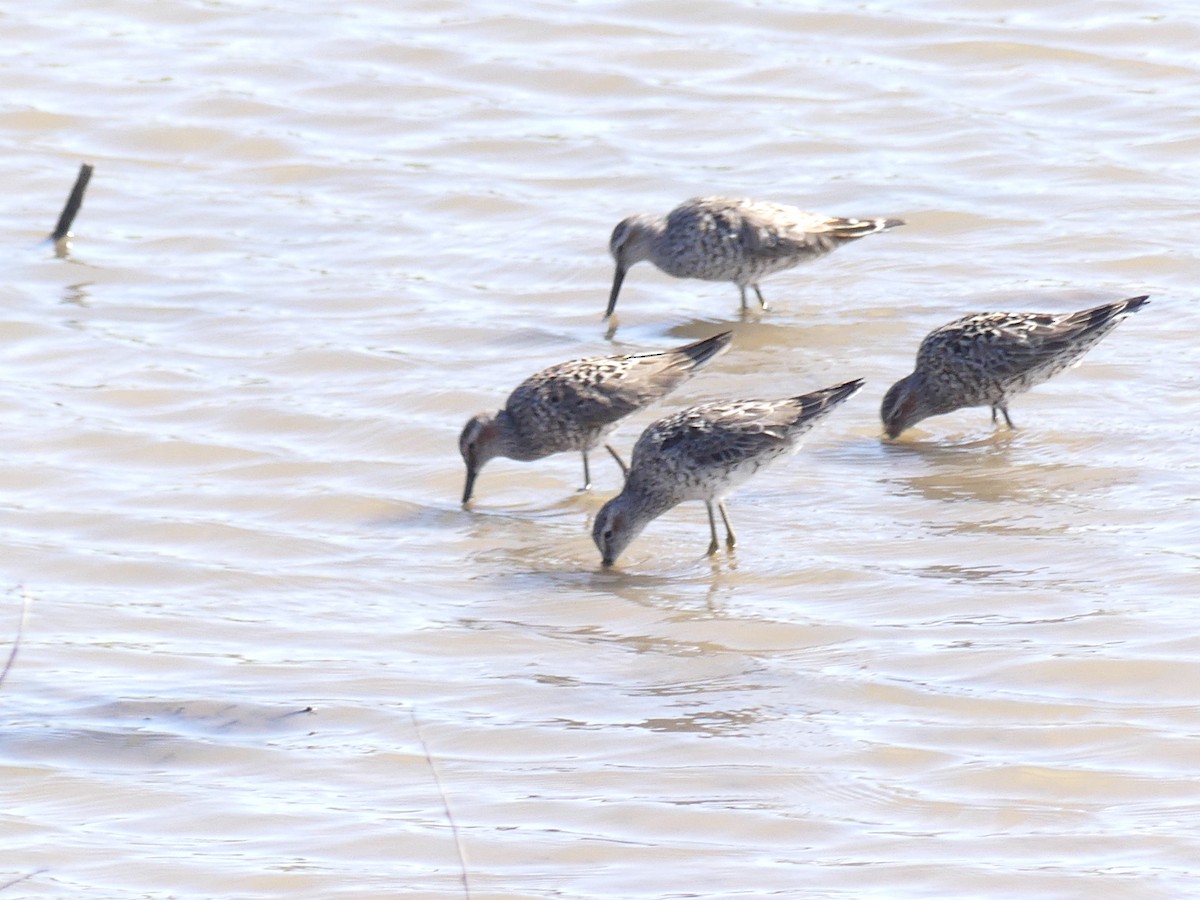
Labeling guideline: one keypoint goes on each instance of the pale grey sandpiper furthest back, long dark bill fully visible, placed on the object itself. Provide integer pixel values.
(724, 239)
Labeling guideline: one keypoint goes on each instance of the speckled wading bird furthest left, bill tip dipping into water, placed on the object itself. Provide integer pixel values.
(574, 406)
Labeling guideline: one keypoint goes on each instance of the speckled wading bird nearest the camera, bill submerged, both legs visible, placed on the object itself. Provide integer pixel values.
(703, 454)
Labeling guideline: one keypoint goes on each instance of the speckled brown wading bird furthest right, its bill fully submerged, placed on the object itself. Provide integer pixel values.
(988, 358)
